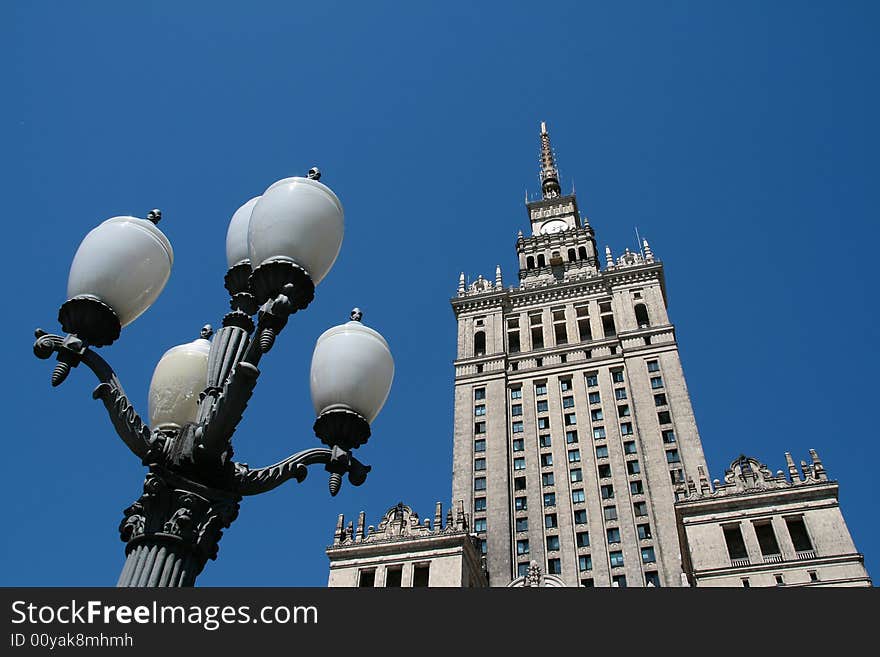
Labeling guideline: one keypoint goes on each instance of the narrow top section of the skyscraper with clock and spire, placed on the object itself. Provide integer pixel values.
(562, 245)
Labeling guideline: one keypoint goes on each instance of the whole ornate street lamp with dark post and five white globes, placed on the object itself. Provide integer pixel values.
(279, 246)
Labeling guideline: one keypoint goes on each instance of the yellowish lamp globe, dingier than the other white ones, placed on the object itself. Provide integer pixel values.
(180, 376)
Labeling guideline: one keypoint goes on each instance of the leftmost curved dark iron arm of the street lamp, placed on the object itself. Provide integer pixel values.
(125, 420)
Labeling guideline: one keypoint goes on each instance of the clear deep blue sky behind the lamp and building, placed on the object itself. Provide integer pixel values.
(739, 137)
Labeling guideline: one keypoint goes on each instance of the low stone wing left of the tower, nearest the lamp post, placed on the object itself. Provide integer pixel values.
(402, 552)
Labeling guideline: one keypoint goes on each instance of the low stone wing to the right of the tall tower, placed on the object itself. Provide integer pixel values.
(761, 529)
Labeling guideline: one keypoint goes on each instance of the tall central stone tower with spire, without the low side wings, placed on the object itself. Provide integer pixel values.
(573, 423)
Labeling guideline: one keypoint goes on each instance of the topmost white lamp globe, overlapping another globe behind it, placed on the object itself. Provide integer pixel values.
(299, 220)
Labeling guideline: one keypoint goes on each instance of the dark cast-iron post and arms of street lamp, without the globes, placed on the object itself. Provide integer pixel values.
(193, 487)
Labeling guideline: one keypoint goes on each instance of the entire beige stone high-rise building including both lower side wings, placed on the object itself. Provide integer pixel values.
(576, 455)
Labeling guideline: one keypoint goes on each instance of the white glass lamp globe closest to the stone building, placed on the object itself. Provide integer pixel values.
(352, 370)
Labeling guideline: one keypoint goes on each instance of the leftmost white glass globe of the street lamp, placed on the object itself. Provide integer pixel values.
(125, 262)
